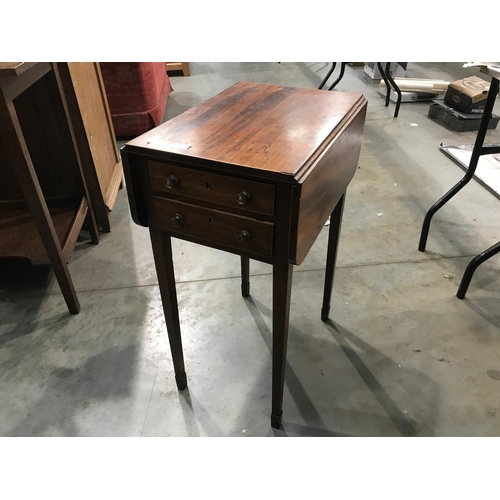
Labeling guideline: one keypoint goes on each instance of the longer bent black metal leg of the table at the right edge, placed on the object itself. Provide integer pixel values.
(476, 153)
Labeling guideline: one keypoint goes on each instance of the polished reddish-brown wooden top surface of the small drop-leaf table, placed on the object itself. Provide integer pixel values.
(259, 126)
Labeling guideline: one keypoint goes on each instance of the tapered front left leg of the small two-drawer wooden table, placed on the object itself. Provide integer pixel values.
(162, 251)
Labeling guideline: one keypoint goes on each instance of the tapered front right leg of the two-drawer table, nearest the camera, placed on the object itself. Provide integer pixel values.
(282, 287)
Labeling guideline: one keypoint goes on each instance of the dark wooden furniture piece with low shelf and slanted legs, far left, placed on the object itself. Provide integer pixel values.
(44, 199)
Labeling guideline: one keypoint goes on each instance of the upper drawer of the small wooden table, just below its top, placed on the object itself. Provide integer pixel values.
(224, 190)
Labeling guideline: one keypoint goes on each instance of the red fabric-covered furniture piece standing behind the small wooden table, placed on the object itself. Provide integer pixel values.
(137, 95)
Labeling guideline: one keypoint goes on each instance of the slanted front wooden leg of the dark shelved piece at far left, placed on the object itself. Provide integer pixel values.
(28, 182)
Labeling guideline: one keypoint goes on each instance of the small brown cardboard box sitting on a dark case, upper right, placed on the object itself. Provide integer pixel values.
(467, 94)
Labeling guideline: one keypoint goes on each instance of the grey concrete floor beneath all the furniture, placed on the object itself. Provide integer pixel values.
(402, 356)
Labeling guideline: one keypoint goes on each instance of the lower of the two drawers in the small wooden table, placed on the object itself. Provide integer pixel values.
(241, 233)
